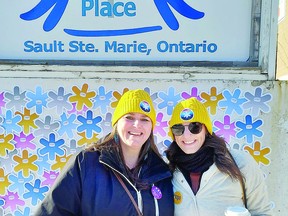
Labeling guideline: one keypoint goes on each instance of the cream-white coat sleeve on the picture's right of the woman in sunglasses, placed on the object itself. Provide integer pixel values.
(256, 190)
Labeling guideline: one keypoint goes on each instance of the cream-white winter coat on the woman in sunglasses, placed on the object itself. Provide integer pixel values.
(218, 191)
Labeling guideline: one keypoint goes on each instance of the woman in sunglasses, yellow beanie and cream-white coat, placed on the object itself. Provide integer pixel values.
(208, 177)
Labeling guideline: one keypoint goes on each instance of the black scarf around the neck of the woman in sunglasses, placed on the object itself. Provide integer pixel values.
(199, 161)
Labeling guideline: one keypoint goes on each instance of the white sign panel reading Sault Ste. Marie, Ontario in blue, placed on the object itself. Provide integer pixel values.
(128, 30)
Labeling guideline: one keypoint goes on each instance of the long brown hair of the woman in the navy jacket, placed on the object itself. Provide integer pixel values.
(112, 141)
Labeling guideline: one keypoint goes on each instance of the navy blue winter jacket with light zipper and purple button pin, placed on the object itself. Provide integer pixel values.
(88, 187)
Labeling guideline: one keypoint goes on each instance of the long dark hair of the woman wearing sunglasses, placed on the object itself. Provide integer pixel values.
(222, 158)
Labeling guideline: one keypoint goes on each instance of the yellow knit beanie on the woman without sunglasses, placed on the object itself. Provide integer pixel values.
(137, 101)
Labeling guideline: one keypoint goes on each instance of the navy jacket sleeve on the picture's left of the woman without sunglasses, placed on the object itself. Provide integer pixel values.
(64, 197)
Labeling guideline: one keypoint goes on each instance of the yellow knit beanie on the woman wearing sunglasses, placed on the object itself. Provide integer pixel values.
(191, 110)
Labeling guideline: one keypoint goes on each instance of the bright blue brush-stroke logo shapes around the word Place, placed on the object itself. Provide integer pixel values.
(58, 8)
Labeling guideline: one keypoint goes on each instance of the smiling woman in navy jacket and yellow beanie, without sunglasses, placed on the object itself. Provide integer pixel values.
(88, 185)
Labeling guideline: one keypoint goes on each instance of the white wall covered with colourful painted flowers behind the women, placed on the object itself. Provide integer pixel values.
(43, 122)
